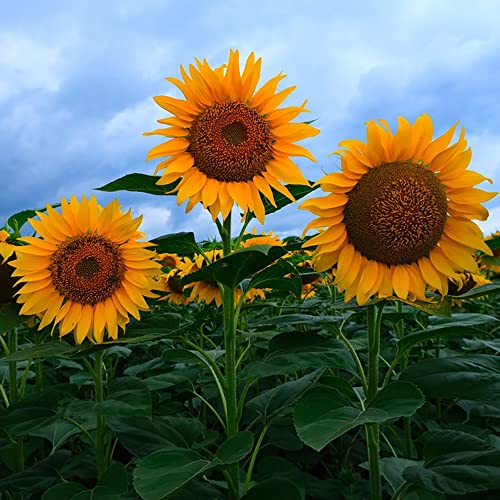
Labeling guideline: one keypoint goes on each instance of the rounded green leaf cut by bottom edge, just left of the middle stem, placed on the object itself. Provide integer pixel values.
(166, 471)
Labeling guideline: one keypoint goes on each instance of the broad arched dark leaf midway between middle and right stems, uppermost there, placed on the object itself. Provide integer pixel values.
(292, 351)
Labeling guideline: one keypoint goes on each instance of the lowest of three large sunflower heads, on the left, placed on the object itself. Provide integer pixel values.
(87, 271)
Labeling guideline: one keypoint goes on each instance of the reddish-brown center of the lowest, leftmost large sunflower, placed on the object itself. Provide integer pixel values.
(87, 268)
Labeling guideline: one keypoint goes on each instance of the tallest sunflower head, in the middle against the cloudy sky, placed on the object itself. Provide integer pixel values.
(228, 142)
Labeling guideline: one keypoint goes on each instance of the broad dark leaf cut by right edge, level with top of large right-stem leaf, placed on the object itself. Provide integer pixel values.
(475, 377)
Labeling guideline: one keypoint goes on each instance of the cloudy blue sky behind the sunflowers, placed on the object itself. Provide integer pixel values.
(77, 81)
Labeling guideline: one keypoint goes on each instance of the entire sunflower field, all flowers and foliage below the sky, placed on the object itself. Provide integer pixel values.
(359, 359)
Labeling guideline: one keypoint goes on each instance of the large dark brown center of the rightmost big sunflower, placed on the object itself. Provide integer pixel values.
(396, 213)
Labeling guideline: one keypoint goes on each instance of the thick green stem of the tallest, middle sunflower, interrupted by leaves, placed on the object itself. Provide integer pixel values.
(230, 341)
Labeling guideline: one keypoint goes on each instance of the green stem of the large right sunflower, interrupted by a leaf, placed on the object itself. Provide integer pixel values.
(372, 430)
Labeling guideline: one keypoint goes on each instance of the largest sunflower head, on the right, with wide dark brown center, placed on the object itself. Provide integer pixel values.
(398, 217)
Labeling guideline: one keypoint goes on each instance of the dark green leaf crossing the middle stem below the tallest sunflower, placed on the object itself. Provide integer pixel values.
(234, 268)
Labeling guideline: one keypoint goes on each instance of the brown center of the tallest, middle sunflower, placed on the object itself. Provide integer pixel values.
(230, 142)
